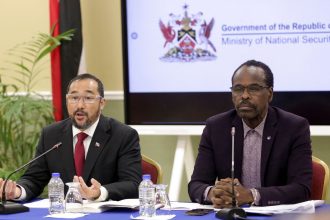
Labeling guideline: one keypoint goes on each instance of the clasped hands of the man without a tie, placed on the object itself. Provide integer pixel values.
(221, 194)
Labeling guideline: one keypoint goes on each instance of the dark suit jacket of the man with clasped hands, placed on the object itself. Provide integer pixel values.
(286, 164)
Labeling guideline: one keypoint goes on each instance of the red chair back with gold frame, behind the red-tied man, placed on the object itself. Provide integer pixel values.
(150, 166)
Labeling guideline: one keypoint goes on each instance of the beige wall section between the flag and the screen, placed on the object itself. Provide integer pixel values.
(102, 38)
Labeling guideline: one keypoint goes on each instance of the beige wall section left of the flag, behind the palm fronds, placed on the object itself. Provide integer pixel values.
(19, 21)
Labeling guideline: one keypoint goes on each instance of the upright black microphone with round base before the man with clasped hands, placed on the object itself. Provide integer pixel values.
(234, 212)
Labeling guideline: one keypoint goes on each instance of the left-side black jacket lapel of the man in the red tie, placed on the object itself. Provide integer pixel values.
(68, 157)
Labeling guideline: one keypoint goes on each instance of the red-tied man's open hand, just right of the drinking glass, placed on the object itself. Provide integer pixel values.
(92, 192)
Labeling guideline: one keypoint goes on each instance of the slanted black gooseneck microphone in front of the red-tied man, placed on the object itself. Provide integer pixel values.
(11, 207)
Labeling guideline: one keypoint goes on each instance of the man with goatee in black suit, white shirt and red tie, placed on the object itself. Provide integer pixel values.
(110, 160)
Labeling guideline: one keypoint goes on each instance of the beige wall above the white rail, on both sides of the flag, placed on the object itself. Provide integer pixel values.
(20, 20)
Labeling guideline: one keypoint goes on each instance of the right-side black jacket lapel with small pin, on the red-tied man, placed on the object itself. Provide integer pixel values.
(99, 140)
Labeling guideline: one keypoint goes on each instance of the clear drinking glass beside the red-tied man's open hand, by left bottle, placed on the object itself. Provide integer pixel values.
(73, 199)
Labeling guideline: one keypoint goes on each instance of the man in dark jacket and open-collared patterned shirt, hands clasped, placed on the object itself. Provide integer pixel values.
(273, 162)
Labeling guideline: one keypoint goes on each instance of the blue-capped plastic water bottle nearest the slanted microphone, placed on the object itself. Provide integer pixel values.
(56, 194)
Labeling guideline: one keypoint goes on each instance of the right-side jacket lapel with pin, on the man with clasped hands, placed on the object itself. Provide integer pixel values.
(268, 138)
